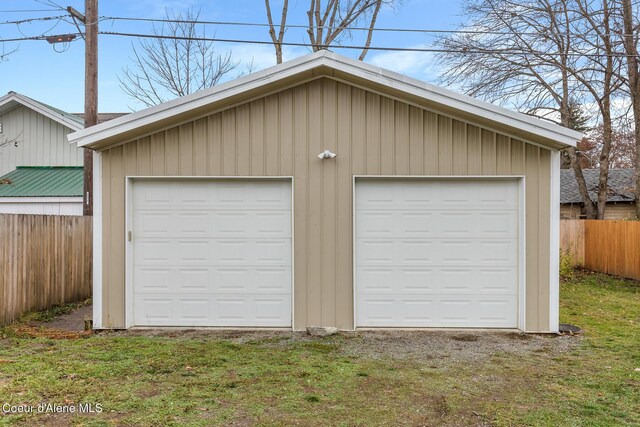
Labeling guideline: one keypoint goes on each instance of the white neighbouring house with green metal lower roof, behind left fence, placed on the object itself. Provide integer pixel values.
(40, 169)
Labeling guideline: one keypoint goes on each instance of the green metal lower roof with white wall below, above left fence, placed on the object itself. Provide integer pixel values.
(42, 190)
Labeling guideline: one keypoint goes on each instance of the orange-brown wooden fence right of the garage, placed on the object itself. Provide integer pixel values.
(611, 247)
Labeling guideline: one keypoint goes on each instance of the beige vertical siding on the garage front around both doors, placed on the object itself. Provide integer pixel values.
(281, 134)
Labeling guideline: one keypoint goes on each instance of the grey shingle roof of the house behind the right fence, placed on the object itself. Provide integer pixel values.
(620, 185)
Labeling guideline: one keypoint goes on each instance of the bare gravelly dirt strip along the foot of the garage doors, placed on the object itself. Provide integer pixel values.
(438, 348)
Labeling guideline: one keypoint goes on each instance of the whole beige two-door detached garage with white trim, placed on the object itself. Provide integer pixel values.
(215, 209)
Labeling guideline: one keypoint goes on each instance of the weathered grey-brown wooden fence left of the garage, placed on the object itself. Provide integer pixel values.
(44, 260)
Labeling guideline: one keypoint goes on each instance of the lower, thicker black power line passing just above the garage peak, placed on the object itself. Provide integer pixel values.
(375, 48)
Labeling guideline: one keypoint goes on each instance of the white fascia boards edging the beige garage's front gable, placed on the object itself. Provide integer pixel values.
(378, 75)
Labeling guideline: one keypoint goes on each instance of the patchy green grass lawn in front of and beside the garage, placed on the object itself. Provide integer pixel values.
(289, 379)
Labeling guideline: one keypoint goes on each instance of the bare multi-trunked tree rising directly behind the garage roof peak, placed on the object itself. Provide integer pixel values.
(329, 23)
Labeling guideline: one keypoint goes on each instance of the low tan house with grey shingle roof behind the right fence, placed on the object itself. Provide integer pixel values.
(620, 199)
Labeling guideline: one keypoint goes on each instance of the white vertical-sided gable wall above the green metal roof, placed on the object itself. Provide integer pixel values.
(41, 141)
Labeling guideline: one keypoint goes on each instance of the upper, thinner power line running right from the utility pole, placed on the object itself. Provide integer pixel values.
(399, 30)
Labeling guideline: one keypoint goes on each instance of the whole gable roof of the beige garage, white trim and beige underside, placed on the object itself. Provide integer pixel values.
(329, 64)
